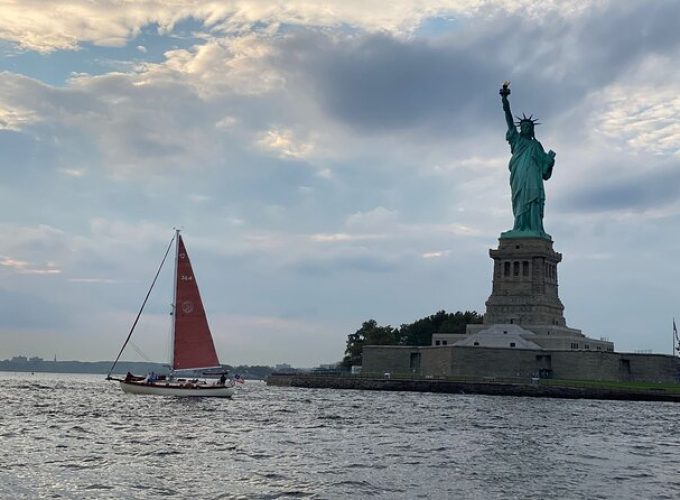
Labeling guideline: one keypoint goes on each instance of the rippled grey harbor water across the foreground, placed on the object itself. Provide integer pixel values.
(80, 437)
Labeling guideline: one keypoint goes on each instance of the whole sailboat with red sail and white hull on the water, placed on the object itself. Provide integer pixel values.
(192, 346)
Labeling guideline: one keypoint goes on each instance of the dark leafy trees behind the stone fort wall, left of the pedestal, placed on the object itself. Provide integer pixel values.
(417, 333)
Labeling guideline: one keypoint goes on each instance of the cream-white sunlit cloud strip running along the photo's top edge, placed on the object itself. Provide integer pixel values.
(70, 23)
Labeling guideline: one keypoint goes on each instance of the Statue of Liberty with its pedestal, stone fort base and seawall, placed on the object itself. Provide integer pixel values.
(524, 341)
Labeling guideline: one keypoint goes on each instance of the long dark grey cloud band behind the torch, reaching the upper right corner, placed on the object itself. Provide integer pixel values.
(378, 83)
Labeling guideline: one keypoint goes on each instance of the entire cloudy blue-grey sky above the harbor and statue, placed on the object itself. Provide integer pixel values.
(328, 163)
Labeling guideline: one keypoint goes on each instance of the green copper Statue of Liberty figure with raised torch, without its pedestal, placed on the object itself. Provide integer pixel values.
(529, 166)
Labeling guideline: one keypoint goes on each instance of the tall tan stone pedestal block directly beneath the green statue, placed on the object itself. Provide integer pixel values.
(525, 284)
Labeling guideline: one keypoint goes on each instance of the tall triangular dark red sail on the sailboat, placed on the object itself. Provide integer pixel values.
(194, 347)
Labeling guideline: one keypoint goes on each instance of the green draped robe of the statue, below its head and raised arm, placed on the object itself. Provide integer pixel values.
(529, 166)
